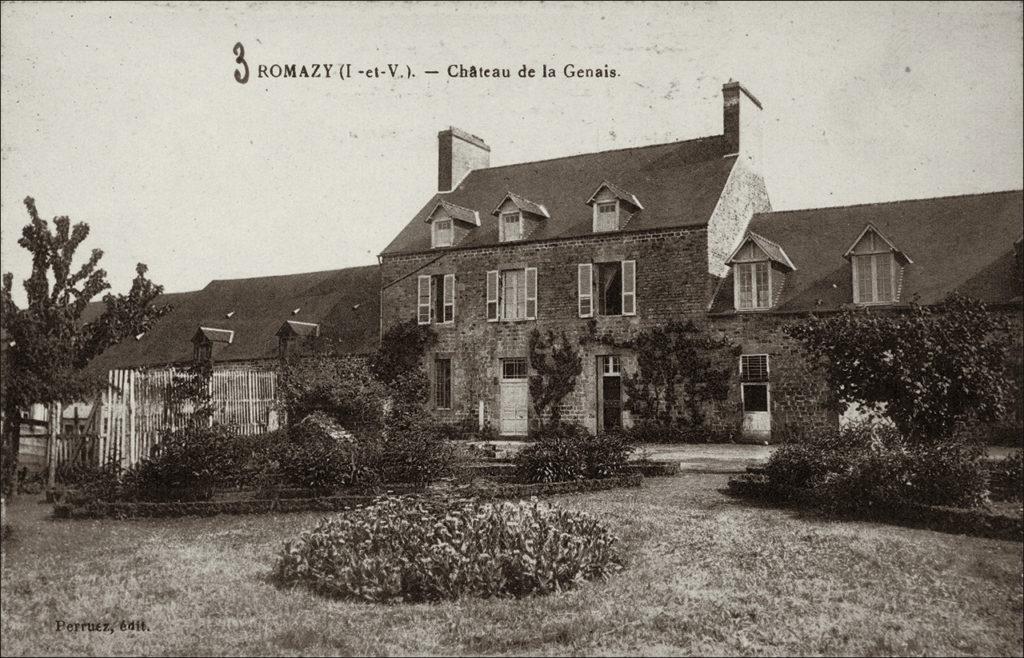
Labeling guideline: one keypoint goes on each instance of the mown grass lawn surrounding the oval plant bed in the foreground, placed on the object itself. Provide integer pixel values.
(707, 575)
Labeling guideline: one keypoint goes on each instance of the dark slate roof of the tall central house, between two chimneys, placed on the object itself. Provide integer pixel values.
(679, 183)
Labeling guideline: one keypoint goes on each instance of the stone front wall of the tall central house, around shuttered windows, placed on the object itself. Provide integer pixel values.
(671, 284)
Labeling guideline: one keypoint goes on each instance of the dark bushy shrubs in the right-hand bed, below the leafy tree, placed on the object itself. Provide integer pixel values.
(864, 467)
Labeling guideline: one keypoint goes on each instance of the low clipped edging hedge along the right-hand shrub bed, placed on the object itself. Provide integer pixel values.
(944, 519)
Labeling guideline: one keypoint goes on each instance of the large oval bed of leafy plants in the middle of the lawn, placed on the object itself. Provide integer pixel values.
(403, 549)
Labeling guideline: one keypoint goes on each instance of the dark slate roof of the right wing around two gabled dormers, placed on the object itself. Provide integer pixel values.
(963, 243)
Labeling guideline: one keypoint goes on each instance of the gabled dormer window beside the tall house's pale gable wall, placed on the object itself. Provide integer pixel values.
(756, 265)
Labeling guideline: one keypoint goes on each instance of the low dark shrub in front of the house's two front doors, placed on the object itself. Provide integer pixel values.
(568, 452)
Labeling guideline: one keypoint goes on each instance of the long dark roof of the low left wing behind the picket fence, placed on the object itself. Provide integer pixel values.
(346, 303)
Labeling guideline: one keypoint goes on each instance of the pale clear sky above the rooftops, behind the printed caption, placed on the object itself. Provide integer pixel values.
(129, 116)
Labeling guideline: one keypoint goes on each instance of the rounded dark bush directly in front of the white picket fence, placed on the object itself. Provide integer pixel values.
(185, 466)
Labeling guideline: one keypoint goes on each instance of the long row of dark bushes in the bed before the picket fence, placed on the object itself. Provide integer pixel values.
(316, 455)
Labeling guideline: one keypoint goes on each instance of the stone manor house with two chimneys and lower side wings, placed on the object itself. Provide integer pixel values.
(614, 243)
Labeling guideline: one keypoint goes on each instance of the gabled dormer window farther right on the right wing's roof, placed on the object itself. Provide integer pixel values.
(876, 266)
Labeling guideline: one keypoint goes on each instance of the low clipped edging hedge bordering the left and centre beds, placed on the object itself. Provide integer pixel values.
(121, 510)
